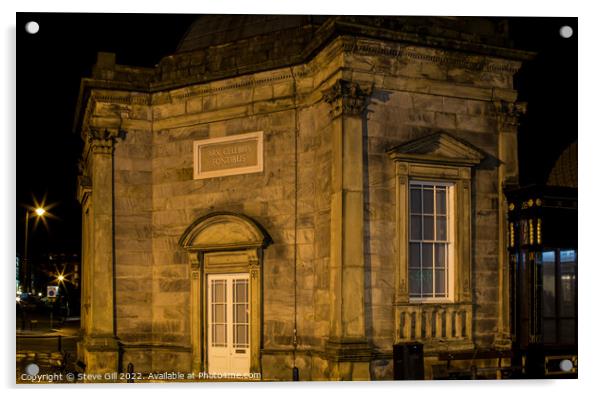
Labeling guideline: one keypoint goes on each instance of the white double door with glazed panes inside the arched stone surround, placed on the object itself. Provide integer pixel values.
(228, 345)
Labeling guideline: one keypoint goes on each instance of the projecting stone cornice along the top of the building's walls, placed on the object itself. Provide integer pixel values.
(403, 49)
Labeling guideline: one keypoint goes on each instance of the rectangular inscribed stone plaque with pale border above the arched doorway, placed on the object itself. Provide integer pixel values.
(231, 155)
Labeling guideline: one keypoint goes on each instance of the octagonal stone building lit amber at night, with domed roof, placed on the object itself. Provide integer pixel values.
(299, 192)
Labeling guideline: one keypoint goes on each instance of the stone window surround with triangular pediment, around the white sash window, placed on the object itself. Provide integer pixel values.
(437, 157)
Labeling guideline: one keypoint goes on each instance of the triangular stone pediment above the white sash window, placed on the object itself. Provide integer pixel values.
(439, 147)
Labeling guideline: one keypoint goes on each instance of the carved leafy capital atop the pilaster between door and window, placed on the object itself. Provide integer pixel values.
(347, 98)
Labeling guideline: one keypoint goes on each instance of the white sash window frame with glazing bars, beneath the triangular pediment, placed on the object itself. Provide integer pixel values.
(449, 241)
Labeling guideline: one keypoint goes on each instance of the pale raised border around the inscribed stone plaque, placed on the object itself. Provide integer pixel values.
(197, 145)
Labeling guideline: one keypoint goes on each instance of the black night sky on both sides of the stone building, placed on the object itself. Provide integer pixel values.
(51, 63)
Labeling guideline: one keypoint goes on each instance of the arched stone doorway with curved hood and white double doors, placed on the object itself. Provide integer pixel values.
(225, 251)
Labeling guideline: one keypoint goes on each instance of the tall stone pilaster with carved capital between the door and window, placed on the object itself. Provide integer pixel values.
(347, 340)
